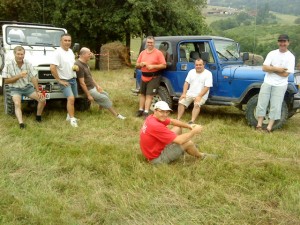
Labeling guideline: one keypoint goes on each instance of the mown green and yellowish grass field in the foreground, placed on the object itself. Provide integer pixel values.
(51, 173)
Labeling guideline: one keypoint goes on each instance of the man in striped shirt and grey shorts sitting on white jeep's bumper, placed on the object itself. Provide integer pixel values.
(19, 74)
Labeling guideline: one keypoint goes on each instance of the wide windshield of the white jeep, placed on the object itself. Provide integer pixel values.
(33, 36)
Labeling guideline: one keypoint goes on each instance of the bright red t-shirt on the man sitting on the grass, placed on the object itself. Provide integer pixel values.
(154, 136)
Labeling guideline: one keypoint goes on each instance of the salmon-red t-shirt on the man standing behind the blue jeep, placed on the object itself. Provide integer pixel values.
(156, 57)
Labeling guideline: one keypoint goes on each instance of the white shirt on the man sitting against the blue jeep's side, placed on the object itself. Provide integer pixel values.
(197, 81)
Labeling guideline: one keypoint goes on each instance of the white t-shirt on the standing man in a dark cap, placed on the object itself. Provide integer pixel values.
(279, 59)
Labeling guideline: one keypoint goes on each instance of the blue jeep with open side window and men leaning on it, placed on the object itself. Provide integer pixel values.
(234, 83)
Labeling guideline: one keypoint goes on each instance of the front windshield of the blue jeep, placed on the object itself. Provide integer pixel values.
(227, 50)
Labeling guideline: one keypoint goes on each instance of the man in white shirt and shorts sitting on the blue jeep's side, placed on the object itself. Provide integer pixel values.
(195, 89)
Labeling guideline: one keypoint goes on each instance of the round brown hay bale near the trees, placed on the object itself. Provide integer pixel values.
(114, 56)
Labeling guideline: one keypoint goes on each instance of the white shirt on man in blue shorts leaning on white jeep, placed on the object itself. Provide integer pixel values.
(64, 61)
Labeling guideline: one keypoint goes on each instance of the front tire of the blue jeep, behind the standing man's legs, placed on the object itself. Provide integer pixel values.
(252, 119)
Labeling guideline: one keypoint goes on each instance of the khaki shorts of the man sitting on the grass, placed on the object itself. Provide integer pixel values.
(170, 153)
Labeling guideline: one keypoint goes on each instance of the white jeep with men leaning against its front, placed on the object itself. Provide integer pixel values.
(39, 41)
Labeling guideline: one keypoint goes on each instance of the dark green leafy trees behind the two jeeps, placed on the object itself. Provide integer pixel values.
(96, 22)
